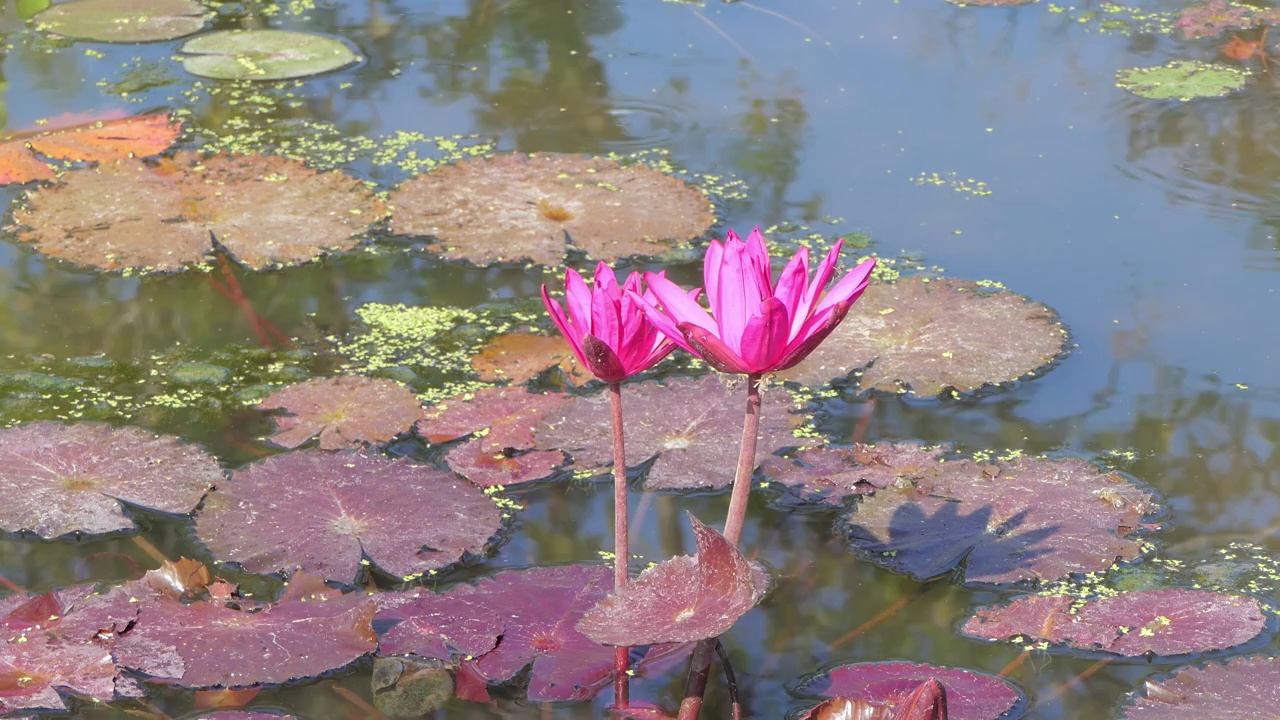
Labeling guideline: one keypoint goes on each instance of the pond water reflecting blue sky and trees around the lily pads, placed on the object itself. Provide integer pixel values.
(975, 143)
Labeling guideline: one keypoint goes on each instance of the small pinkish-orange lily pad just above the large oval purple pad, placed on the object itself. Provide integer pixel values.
(345, 412)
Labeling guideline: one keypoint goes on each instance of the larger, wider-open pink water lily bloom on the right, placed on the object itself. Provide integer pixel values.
(756, 327)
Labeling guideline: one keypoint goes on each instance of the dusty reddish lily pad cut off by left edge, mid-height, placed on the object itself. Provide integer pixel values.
(60, 480)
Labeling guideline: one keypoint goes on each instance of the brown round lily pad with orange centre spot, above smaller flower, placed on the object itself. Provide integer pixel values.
(514, 208)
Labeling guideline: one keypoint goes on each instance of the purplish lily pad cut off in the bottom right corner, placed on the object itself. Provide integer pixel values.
(1246, 689)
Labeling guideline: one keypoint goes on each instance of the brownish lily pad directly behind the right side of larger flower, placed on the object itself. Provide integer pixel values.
(935, 336)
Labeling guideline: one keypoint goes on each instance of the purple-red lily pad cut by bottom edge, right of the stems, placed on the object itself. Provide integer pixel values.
(971, 696)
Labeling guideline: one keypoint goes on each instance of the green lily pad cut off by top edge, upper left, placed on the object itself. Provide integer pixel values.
(124, 21)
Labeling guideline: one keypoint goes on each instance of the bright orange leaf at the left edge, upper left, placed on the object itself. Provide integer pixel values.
(93, 143)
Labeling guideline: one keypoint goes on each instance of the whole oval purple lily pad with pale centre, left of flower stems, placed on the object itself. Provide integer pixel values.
(321, 512)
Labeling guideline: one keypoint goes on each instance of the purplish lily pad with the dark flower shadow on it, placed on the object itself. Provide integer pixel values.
(1004, 522)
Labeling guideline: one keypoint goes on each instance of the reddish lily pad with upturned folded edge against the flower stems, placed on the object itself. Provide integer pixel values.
(682, 600)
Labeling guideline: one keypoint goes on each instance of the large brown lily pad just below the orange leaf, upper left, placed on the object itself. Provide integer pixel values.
(264, 211)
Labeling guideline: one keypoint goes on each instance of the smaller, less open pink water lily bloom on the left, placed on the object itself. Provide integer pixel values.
(607, 327)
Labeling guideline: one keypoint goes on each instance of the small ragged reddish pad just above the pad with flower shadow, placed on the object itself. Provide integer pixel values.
(830, 475)
